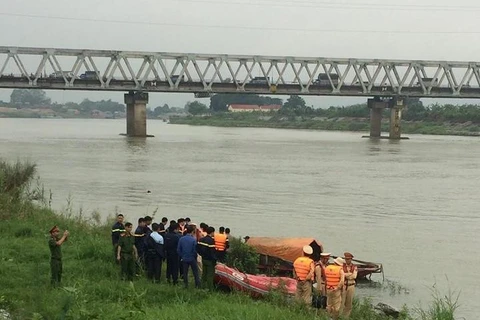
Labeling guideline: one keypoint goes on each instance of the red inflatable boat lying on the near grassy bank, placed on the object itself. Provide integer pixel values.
(255, 285)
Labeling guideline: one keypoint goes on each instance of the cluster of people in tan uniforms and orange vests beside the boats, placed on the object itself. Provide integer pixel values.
(334, 282)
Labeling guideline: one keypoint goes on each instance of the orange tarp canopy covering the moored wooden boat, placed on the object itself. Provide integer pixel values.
(287, 249)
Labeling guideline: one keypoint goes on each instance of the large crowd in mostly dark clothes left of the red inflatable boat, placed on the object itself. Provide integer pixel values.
(183, 245)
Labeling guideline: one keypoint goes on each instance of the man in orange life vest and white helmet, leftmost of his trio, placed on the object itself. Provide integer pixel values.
(303, 271)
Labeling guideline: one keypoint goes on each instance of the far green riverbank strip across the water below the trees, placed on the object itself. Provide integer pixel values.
(324, 123)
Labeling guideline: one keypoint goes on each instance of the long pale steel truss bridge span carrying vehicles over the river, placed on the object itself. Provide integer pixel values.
(205, 74)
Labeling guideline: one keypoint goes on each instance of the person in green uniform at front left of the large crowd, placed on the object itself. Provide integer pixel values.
(127, 253)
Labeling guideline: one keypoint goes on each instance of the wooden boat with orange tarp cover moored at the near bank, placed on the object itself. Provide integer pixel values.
(277, 255)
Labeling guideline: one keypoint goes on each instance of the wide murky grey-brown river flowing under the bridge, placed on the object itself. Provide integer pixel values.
(411, 205)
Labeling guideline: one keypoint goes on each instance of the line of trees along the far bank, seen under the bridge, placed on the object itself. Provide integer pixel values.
(294, 106)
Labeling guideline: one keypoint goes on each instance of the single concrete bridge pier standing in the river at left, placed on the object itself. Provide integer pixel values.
(136, 113)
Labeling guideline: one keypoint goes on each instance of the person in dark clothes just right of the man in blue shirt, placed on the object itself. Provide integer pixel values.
(206, 248)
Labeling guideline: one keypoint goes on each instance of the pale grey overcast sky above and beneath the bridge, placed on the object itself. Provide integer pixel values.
(413, 29)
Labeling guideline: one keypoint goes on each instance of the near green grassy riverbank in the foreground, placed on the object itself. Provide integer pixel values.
(91, 288)
